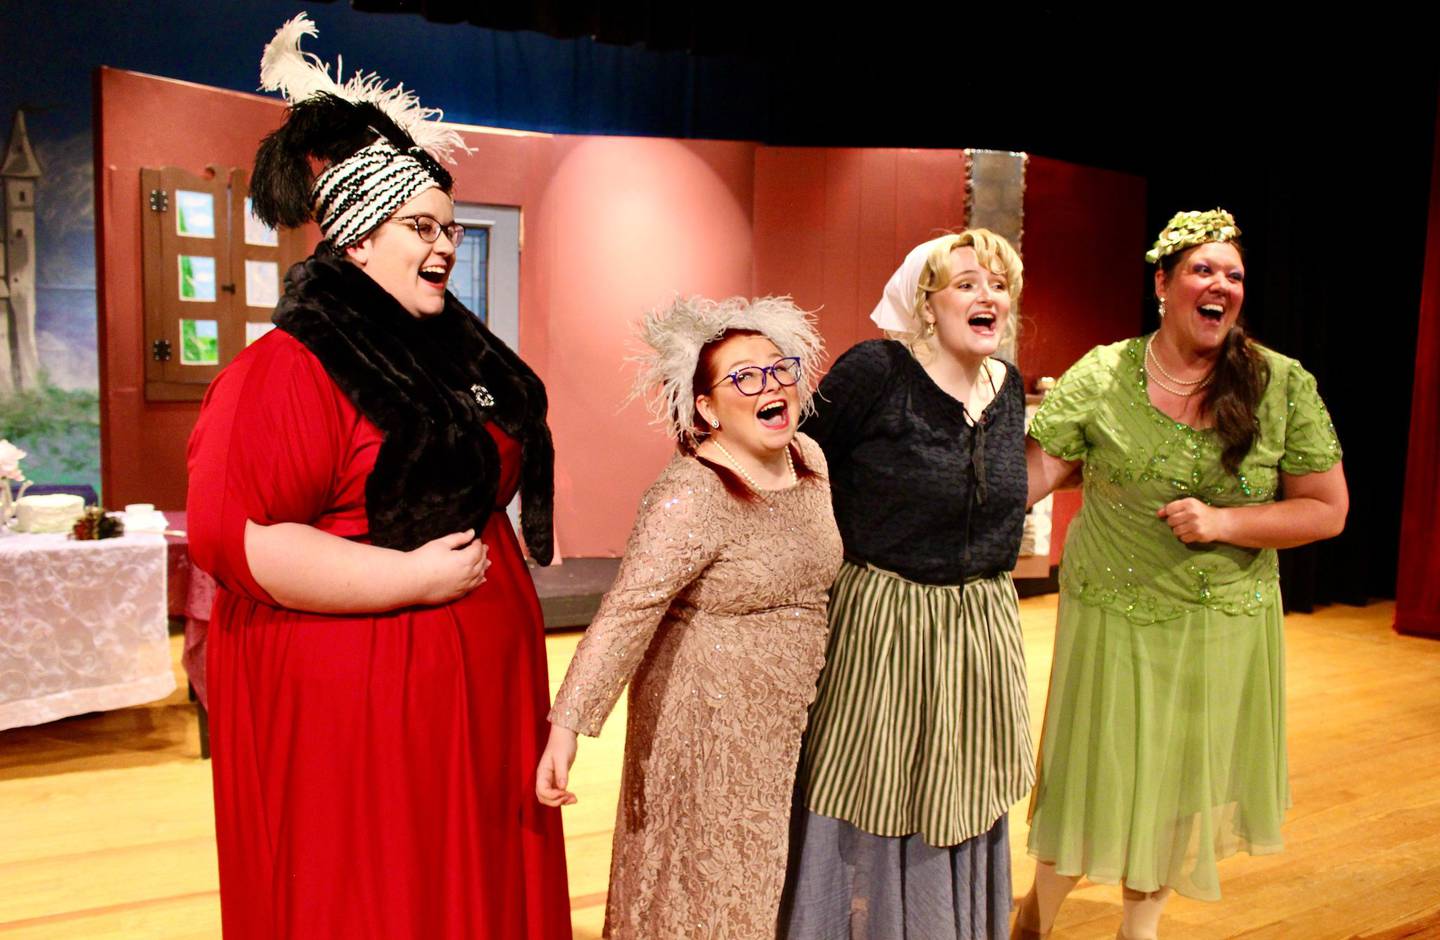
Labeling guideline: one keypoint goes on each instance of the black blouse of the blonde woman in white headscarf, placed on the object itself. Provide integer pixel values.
(906, 469)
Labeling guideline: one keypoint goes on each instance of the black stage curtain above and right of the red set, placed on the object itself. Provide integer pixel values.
(1318, 137)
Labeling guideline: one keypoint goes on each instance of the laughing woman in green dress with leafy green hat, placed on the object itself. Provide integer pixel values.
(1164, 739)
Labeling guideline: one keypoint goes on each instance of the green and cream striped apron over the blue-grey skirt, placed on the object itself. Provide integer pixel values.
(921, 723)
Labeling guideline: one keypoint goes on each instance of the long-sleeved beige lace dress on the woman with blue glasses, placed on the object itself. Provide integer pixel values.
(718, 621)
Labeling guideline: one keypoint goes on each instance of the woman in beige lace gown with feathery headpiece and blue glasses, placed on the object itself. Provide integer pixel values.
(718, 623)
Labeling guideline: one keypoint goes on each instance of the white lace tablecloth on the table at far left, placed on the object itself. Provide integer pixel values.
(83, 627)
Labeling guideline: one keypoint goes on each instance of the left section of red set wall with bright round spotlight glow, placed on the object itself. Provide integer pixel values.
(611, 228)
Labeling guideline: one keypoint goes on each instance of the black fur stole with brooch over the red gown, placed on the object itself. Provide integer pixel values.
(438, 470)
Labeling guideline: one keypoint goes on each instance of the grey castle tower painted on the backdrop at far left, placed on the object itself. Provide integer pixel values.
(19, 356)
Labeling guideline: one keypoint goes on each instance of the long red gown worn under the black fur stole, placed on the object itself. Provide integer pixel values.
(374, 775)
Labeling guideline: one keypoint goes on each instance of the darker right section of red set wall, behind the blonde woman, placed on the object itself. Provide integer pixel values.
(833, 224)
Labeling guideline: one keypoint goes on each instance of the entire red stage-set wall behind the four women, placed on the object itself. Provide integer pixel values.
(613, 228)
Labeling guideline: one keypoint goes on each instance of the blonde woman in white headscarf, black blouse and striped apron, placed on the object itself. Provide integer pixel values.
(919, 739)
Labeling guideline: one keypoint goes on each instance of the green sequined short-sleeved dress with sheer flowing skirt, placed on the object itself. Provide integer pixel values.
(1164, 739)
